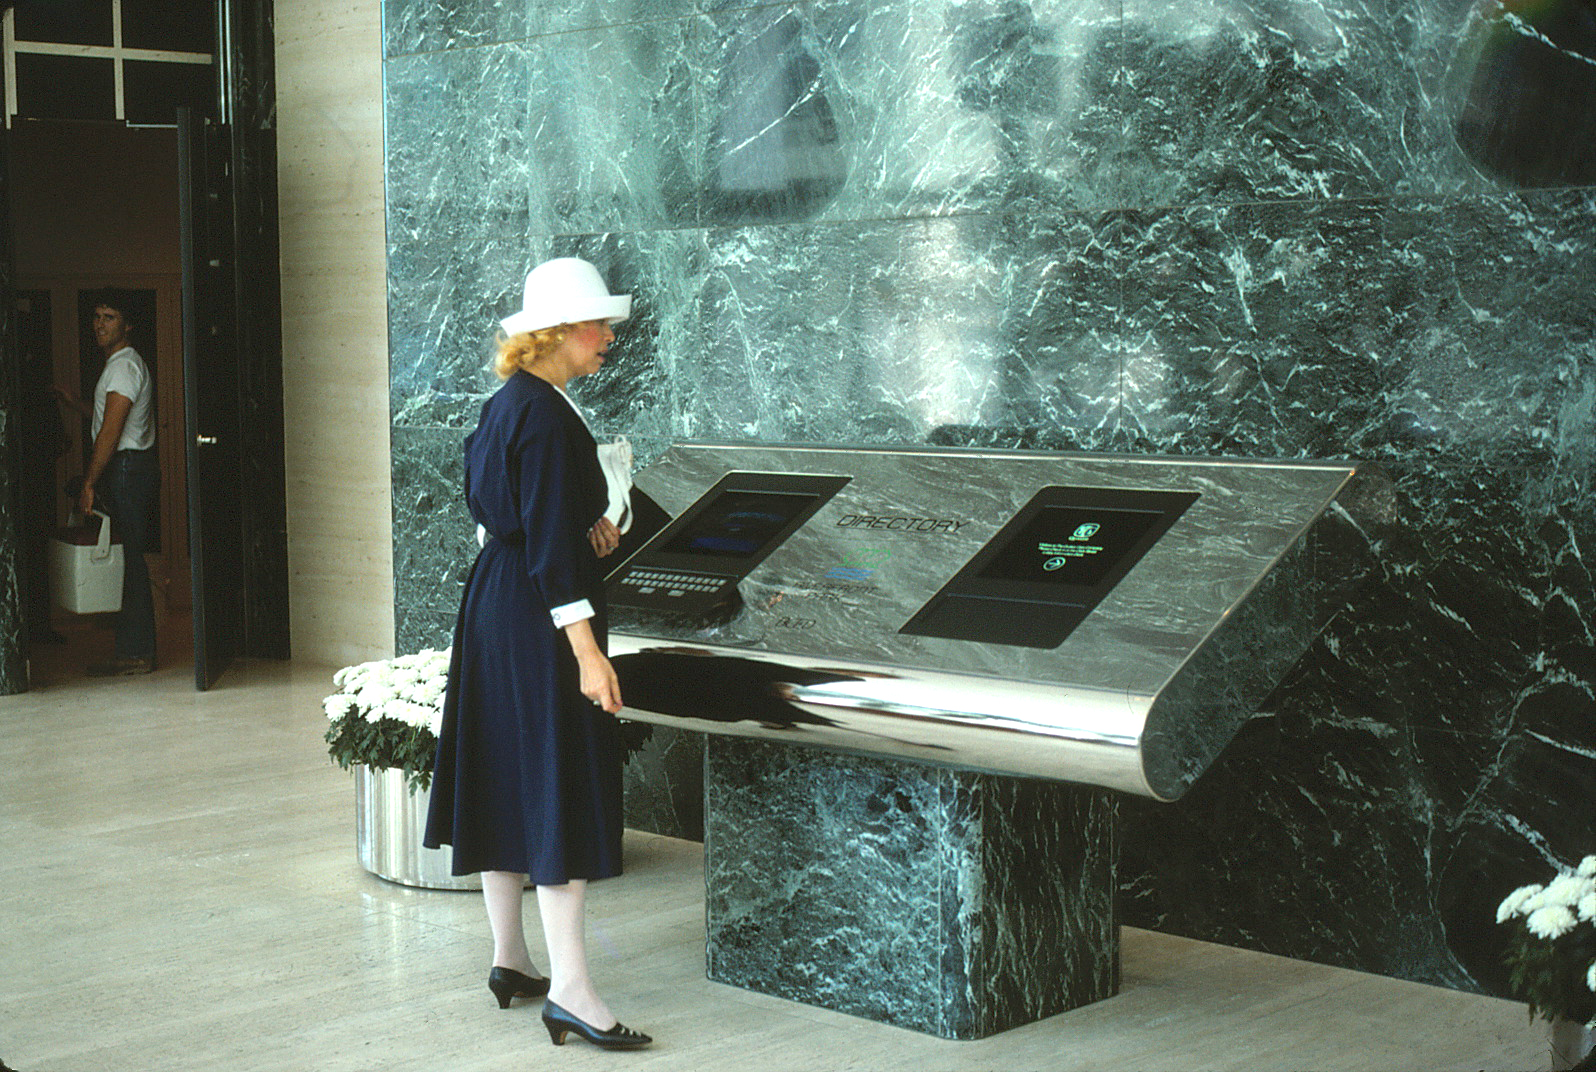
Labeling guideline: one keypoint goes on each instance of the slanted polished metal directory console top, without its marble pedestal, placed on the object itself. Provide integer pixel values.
(1084, 618)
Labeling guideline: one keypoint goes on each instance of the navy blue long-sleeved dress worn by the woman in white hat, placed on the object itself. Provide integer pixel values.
(529, 771)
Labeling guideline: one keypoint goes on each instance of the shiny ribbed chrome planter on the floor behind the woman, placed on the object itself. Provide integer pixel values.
(389, 827)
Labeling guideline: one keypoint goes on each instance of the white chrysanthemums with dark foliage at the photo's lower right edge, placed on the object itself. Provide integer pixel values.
(1552, 953)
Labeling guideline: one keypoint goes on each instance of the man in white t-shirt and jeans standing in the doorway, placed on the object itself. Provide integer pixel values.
(122, 479)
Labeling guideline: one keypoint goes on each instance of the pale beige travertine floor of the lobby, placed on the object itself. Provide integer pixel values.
(181, 896)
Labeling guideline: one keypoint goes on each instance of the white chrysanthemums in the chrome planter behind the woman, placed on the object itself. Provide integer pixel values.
(389, 714)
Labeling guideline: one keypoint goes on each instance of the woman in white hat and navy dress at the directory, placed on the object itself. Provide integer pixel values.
(527, 782)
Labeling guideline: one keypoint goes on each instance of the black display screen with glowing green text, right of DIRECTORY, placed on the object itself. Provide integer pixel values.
(1070, 545)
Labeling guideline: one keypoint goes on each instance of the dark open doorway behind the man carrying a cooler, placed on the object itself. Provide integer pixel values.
(93, 207)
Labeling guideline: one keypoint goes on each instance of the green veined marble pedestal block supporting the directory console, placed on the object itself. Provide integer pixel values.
(946, 902)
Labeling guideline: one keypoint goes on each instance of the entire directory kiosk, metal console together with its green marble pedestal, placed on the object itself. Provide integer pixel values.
(1088, 620)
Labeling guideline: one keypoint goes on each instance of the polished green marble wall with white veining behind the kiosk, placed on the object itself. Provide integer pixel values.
(1281, 229)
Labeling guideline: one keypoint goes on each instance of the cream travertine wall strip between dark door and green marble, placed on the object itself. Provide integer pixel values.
(334, 329)
